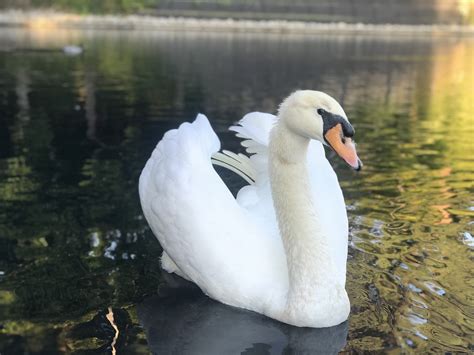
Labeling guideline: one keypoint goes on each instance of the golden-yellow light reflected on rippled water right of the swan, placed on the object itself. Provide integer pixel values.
(423, 287)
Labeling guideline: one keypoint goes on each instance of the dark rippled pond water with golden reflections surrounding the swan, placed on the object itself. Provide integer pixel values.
(79, 268)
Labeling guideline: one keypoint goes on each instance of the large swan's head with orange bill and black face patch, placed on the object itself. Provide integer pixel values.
(316, 115)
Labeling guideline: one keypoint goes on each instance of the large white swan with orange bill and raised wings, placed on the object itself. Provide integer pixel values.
(280, 247)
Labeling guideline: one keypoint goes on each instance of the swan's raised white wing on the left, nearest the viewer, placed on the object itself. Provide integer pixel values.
(200, 225)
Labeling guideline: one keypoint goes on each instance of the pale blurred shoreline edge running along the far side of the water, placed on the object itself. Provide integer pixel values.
(57, 20)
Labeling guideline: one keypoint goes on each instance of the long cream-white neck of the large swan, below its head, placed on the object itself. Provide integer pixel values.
(310, 264)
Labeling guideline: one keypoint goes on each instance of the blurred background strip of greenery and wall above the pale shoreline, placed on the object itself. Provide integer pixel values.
(366, 11)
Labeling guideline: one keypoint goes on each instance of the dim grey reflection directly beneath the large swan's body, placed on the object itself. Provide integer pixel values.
(190, 323)
